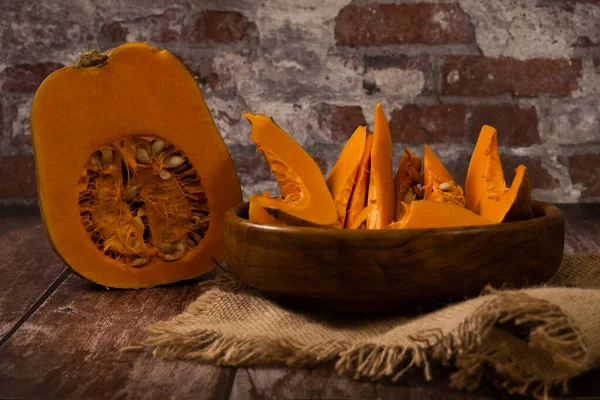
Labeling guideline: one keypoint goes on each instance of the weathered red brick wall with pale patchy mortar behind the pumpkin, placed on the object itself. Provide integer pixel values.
(440, 69)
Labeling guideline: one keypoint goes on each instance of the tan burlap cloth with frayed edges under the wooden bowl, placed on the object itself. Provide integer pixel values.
(530, 340)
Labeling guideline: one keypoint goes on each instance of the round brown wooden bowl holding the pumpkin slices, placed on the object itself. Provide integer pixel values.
(383, 270)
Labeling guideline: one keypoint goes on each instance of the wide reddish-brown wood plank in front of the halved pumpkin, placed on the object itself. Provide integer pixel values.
(70, 348)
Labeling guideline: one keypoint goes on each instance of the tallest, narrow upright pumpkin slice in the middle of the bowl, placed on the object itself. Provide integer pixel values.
(381, 181)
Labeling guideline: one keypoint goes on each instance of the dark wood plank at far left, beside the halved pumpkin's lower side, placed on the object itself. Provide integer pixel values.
(28, 266)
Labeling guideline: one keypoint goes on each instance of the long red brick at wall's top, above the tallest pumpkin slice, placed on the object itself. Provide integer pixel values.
(385, 24)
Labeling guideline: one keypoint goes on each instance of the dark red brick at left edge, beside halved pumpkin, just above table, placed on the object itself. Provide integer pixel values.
(17, 177)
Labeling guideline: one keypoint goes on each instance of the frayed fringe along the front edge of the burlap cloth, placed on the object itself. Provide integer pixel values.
(481, 343)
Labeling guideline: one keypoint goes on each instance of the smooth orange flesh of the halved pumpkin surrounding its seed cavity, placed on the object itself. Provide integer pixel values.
(138, 91)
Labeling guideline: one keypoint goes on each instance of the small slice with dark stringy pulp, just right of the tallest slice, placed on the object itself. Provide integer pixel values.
(408, 177)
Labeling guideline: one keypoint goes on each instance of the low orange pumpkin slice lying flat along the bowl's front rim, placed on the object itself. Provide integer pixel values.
(434, 214)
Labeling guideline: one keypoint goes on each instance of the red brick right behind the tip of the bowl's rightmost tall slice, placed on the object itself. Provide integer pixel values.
(516, 126)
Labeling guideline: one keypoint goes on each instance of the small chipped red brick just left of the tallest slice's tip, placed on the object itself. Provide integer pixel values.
(342, 121)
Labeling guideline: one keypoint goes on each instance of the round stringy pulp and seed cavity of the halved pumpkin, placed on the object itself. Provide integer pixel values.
(141, 198)
